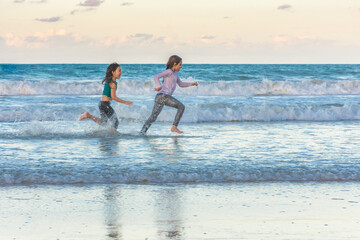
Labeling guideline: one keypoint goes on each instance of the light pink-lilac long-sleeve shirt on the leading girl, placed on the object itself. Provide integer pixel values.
(169, 82)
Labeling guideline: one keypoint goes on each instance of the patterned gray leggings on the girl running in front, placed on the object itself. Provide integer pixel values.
(162, 99)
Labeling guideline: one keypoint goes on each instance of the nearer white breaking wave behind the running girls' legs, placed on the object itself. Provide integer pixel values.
(198, 112)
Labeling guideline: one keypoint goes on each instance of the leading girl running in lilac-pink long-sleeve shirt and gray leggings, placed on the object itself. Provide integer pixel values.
(166, 89)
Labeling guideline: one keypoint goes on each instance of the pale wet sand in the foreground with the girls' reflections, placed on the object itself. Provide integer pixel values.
(235, 211)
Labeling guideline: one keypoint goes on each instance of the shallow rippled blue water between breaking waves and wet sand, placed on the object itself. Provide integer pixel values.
(207, 152)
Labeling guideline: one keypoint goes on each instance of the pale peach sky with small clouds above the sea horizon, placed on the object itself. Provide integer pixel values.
(200, 31)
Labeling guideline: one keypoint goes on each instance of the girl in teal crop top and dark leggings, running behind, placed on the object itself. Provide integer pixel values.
(107, 113)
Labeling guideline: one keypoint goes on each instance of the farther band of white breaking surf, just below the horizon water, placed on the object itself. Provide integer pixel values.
(220, 88)
